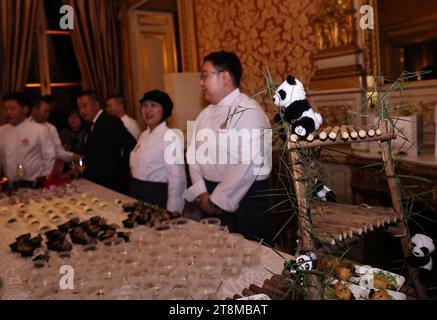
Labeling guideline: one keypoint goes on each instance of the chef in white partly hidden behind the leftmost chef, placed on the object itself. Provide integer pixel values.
(39, 114)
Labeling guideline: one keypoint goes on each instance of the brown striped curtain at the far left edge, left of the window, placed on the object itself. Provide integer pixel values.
(17, 33)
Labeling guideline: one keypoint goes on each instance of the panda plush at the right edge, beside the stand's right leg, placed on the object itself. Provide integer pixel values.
(421, 246)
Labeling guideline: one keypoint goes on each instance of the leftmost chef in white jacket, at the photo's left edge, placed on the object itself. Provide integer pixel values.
(24, 143)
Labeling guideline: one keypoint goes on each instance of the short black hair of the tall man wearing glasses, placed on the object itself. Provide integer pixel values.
(226, 61)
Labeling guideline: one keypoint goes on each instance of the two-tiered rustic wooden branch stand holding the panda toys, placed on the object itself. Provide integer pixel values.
(331, 223)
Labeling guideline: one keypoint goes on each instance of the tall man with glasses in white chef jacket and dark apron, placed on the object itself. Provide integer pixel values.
(231, 191)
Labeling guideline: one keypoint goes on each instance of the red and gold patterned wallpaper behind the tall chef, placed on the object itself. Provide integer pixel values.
(264, 33)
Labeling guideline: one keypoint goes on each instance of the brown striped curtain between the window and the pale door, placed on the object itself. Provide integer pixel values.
(97, 45)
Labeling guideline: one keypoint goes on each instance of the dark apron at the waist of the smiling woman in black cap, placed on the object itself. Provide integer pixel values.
(147, 191)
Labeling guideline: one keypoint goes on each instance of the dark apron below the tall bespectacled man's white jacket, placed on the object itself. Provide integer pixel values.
(253, 218)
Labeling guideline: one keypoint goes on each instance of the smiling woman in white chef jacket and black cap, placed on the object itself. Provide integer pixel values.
(155, 179)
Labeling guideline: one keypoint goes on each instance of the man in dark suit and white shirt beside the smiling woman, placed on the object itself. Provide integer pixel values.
(107, 145)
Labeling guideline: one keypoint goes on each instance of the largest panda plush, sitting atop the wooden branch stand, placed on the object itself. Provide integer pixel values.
(291, 96)
